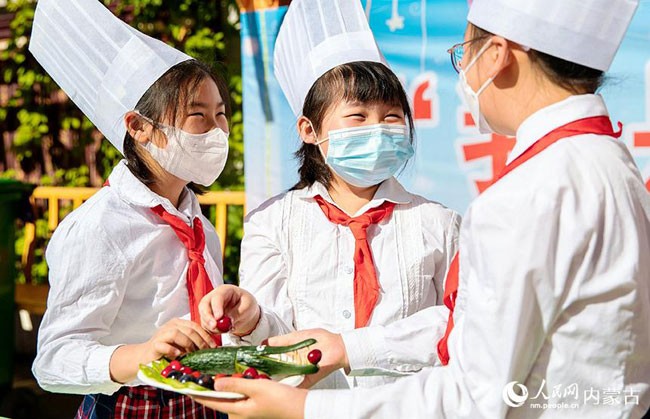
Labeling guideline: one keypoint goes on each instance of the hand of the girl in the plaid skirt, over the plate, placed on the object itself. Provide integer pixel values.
(175, 338)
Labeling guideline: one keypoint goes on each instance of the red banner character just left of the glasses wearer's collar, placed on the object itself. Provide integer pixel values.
(497, 148)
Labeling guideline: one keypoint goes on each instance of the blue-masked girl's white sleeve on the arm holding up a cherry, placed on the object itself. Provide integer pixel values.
(263, 273)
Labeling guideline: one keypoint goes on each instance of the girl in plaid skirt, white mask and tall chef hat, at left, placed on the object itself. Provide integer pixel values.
(128, 267)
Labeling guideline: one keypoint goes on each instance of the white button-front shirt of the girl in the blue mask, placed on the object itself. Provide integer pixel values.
(299, 266)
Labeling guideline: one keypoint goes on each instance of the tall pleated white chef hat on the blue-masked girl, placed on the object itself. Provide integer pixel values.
(316, 36)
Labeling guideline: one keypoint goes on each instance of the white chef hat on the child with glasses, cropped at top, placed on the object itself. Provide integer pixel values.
(586, 32)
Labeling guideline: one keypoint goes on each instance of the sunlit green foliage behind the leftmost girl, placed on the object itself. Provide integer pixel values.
(53, 143)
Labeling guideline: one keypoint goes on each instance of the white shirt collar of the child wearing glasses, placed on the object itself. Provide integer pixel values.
(558, 114)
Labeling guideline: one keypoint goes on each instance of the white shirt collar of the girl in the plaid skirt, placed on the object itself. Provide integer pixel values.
(131, 190)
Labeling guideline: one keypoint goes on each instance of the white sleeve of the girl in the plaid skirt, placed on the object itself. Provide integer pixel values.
(87, 282)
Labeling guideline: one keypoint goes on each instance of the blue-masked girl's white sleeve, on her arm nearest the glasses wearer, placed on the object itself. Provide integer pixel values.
(410, 344)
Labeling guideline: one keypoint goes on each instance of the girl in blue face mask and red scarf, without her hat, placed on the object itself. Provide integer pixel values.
(347, 249)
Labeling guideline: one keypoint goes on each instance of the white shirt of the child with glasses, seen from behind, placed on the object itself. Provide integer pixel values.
(554, 290)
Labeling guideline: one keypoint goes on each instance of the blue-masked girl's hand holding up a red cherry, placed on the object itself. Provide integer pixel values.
(231, 301)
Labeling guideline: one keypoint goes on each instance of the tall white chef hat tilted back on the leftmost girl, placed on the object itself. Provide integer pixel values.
(102, 63)
